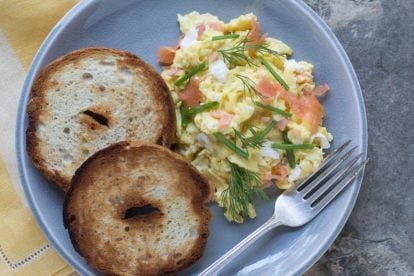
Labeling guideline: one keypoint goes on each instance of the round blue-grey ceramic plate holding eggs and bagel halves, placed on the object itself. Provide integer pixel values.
(141, 27)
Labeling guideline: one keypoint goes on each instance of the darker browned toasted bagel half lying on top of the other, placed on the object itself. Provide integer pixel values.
(133, 174)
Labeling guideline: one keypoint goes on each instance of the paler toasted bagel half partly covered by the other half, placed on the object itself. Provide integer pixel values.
(88, 99)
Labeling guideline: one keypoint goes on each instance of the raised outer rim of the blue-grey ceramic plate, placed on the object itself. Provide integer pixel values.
(21, 130)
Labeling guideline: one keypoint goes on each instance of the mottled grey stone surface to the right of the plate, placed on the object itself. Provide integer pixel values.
(378, 36)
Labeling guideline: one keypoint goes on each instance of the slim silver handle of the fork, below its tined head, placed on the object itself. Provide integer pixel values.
(214, 268)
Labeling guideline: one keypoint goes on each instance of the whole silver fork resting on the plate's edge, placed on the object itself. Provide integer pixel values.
(299, 205)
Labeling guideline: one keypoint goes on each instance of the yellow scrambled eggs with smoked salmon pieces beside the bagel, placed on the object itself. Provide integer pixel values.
(237, 85)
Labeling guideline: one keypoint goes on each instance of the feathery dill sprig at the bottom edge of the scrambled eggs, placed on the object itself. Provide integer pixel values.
(243, 186)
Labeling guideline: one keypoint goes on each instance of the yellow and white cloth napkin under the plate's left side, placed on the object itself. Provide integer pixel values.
(23, 248)
